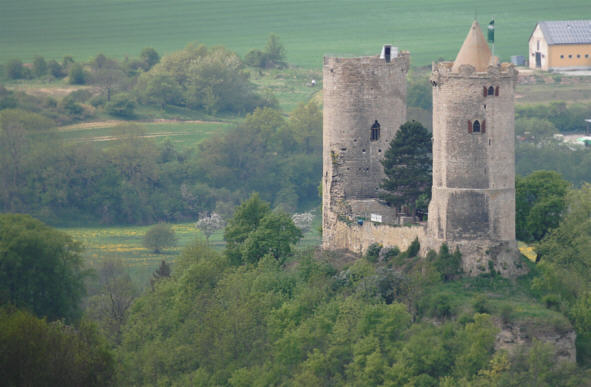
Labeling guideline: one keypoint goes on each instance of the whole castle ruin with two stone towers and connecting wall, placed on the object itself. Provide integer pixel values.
(473, 196)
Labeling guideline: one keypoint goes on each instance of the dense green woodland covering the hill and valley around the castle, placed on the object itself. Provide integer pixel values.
(264, 310)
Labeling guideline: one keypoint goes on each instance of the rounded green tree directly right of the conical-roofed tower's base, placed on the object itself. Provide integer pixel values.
(540, 199)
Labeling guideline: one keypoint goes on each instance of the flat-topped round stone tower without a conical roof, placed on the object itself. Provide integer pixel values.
(364, 105)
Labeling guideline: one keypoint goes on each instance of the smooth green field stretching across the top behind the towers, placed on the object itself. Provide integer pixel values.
(309, 29)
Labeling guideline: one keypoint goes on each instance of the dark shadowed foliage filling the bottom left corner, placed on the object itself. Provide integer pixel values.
(36, 353)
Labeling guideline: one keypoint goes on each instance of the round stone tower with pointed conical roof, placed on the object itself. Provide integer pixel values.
(473, 197)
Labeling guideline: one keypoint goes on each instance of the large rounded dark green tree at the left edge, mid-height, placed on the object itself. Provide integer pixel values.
(40, 268)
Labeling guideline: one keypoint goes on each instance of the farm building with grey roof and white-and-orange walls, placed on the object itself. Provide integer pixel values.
(561, 45)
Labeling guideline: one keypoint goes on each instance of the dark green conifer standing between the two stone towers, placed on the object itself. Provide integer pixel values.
(408, 166)
